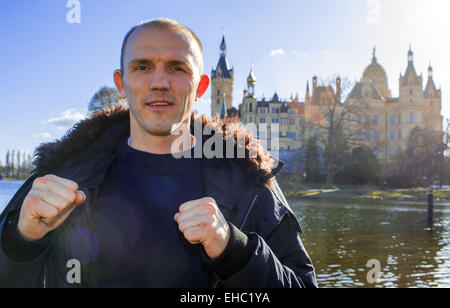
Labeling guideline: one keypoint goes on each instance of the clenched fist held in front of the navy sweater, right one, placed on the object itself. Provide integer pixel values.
(202, 222)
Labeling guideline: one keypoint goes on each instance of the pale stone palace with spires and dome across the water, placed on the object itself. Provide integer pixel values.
(380, 121)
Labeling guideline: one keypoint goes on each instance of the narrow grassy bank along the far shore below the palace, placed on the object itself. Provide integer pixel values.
(292, 188)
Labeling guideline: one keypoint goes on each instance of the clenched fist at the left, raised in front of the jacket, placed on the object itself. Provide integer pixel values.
(47, 205)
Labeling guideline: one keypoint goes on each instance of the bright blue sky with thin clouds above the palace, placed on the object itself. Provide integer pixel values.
(52, 68)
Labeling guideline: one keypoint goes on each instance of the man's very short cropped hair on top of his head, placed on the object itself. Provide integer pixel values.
(163, 24)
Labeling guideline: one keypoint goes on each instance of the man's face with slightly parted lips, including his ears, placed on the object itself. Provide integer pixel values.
(160, 80)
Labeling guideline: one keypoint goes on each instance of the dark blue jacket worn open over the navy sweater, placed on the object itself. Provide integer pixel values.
(85, 155)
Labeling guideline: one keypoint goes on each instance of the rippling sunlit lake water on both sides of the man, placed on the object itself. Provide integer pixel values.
(341, 236)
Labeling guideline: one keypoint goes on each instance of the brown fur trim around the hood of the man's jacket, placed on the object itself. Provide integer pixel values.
(101, 131)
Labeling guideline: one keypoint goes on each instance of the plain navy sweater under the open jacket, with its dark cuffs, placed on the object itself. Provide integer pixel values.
(140, 244)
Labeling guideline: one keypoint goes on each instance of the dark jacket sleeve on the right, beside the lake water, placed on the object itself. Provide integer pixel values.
(279, 259)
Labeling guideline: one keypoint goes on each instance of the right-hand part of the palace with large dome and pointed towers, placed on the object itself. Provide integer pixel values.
(386, 122)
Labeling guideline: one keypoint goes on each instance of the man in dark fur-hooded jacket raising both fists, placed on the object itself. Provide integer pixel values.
(111, 200)
